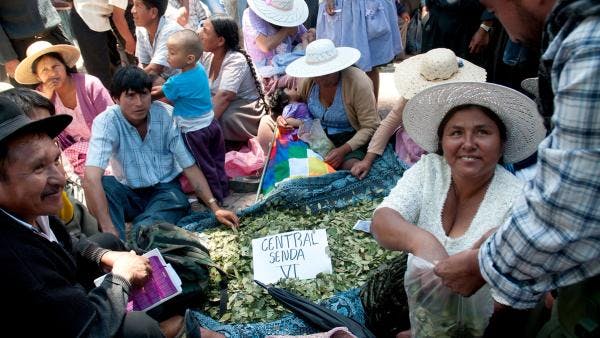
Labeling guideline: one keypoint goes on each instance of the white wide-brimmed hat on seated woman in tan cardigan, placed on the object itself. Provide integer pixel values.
(322, 58)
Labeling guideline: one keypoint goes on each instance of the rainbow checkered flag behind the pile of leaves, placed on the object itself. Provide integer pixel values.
(292, 159)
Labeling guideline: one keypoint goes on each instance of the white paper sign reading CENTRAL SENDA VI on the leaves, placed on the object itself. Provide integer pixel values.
(297, 254)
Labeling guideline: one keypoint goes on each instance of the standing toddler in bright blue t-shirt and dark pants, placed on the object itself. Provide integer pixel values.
(189, 92)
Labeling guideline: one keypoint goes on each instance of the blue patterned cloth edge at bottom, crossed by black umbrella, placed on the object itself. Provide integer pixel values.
(346, 303)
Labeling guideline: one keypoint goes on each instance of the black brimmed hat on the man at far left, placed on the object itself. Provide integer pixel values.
(13, 120)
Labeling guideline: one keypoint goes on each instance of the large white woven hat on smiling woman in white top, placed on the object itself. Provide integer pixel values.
(524, 126)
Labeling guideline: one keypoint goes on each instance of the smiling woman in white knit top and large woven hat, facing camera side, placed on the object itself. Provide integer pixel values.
(454, 197)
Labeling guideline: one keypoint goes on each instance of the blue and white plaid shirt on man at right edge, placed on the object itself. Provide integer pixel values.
(552, 238)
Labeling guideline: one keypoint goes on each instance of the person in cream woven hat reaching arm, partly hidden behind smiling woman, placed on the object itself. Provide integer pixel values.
(419, 72)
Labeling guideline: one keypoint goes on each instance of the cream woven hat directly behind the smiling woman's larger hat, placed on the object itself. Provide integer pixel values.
(435, 67)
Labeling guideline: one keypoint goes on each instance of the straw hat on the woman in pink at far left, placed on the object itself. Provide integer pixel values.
(24, 72)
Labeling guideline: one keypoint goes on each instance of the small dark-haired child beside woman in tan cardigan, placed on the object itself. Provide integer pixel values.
(290, 110)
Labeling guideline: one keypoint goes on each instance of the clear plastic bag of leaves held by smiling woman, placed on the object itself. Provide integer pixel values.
(436, 311)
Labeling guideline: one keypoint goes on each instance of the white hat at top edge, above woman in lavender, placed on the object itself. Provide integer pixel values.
(284, 13)
